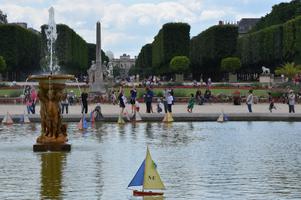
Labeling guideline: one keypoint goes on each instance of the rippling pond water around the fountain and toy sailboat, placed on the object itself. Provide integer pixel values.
(198, 160)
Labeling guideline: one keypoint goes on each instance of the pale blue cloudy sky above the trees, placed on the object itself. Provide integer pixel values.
(127, 25)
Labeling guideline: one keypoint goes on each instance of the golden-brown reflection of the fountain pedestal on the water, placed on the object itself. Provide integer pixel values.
(52, 165)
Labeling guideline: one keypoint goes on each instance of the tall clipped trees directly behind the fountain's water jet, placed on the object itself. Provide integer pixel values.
(70, 49)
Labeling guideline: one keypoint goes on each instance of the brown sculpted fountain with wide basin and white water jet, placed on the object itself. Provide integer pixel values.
(53, 132)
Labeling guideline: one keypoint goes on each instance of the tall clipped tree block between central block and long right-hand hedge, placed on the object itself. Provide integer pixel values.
(209, 47)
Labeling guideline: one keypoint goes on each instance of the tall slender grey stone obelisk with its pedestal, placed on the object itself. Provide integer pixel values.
(96, 72)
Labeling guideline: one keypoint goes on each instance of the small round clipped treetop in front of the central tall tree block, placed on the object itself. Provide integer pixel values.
(179, 64)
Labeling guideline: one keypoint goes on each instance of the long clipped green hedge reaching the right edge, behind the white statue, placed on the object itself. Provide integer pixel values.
(271, 46)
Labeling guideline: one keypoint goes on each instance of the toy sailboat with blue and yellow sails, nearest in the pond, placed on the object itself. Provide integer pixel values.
(148, 177)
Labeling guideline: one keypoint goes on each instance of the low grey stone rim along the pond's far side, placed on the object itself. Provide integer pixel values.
(182, 117)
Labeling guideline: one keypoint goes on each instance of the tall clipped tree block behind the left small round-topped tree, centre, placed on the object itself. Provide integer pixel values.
(172, 40)
